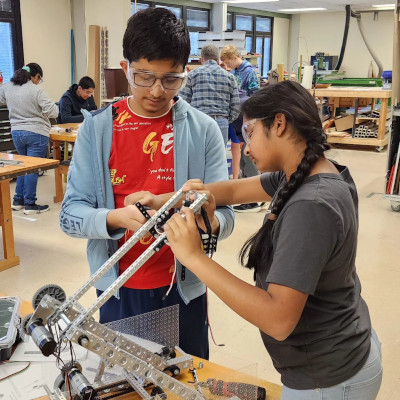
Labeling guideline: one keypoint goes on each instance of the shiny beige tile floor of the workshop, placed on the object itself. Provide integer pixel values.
(49, 256)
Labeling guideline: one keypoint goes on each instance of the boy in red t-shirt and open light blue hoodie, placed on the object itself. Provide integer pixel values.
(152, 141)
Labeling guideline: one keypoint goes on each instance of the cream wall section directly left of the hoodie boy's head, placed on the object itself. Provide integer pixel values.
(113, 15)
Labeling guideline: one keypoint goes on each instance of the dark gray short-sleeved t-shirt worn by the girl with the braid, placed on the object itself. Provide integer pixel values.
(314, 249)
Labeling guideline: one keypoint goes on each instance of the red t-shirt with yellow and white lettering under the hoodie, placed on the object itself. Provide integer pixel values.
(142, 158)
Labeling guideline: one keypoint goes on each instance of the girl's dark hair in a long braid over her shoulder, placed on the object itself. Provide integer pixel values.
(298, 106)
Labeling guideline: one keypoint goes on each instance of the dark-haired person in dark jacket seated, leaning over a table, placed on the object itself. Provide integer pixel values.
(78, 97)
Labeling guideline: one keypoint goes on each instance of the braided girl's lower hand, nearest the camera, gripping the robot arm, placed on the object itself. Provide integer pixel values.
(183, 237)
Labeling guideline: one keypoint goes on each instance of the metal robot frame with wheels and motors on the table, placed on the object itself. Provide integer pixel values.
(58, 322)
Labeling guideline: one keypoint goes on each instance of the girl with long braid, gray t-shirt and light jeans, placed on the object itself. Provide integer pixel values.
(307, 296)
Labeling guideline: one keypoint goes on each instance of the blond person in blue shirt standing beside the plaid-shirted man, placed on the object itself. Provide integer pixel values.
(248, 84)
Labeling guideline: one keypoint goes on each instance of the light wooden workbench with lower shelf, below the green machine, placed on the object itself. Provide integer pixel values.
(334, 95)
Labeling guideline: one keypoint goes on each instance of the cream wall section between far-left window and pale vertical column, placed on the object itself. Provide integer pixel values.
(46, 32)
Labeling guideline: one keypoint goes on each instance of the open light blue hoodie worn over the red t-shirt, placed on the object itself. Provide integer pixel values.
(199, 152)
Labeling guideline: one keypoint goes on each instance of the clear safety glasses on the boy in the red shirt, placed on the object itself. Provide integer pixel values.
(169, 81)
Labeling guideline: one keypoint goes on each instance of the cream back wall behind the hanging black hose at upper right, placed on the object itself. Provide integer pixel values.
(324, 32)
